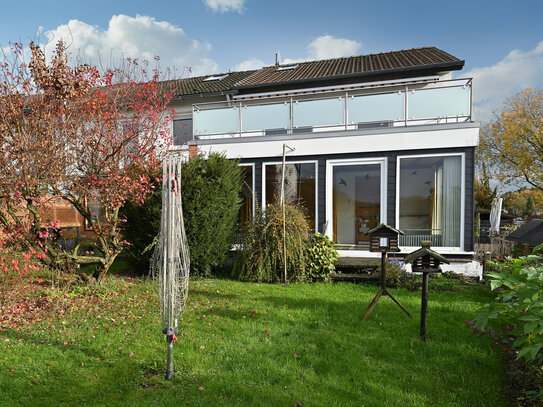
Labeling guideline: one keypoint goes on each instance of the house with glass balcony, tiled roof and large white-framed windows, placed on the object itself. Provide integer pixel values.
(381, 138)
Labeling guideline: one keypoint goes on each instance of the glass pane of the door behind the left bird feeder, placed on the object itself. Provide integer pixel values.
(356, 206)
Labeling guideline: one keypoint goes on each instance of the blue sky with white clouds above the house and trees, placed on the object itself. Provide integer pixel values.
(501, 41)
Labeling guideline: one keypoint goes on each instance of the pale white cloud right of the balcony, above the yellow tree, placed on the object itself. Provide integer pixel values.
(493, 84)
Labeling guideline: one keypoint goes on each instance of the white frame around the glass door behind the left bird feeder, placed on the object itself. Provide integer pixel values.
(330, 164)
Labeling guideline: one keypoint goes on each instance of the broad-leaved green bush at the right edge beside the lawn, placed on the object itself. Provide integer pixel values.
(516, 318)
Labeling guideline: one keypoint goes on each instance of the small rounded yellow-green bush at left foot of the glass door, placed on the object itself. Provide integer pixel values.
(321, 258)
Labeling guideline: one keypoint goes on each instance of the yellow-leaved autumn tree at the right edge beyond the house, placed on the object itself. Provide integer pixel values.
(512, 143)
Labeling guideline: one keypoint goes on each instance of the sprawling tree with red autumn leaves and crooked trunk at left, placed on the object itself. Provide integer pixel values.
(75, 135)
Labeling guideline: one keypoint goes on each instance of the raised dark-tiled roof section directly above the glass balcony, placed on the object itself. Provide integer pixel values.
(362, 65)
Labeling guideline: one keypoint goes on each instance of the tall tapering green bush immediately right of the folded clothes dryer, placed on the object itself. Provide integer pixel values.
(211, 189)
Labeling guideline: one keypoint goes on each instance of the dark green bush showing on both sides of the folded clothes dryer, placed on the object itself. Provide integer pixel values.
(211, 194)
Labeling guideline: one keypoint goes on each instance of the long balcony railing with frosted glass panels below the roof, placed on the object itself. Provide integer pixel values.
(384, 106)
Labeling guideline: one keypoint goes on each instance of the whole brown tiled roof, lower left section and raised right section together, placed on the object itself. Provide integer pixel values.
(416, 61)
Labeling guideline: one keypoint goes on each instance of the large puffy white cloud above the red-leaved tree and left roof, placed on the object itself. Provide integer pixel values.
(140, 37)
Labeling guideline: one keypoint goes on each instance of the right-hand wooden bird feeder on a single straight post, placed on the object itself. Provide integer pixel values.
(425, 261)
